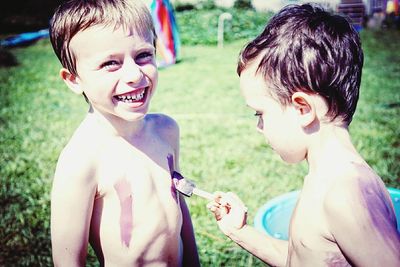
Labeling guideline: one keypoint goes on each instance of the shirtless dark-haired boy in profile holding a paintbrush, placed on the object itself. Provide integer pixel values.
(301, 76)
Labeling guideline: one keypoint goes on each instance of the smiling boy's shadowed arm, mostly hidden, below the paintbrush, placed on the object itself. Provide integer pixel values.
(190, 254)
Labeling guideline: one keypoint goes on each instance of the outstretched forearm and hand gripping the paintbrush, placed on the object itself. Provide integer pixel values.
(231, 215)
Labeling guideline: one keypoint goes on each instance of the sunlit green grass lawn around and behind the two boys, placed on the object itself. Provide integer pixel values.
(220, 150)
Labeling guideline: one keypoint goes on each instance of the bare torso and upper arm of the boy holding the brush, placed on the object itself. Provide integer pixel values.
(335, 214)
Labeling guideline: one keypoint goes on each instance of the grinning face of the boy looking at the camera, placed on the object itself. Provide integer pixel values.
(116, 70)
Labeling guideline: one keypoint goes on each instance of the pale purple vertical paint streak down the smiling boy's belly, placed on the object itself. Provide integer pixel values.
(124, 193)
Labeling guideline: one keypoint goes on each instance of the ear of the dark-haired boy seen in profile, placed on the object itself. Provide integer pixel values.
(305, 108)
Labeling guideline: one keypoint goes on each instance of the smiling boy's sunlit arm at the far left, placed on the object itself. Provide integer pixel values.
(71, 207)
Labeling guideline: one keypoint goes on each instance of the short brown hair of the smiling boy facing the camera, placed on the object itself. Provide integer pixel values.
(74, 16)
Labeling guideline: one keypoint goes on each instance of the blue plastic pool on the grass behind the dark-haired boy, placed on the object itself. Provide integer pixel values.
(274, 216)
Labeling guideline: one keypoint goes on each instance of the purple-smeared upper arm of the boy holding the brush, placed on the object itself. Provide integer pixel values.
(366, 219)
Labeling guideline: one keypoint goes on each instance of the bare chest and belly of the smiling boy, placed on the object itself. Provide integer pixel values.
(136, 207)
